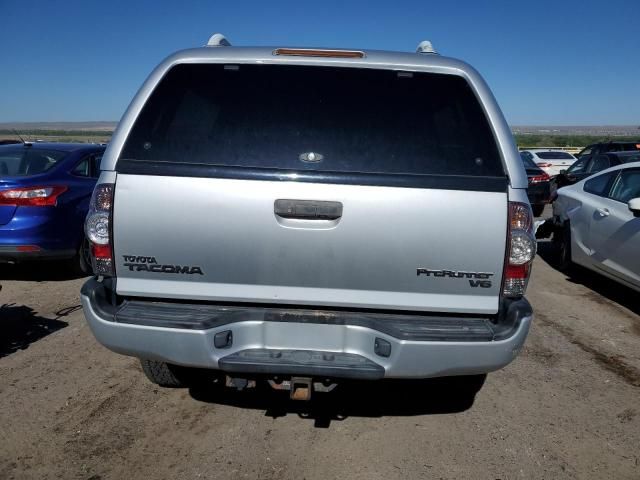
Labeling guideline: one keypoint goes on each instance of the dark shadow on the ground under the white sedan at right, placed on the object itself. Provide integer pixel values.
(600, 285)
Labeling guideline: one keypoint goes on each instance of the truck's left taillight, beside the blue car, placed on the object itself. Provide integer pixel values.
(97, 228)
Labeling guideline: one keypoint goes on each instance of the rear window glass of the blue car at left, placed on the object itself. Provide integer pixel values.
(20, 161)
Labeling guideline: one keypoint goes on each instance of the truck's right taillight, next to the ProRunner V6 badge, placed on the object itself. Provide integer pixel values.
(521, 249)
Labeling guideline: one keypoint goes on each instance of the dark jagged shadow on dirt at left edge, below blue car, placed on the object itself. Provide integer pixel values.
(20, 326)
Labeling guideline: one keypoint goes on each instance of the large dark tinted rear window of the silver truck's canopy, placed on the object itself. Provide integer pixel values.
(315, 119)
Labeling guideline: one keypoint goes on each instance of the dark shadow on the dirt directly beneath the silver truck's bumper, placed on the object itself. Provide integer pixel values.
(354, 399)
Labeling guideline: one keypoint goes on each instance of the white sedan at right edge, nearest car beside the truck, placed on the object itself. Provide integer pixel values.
(597, 223)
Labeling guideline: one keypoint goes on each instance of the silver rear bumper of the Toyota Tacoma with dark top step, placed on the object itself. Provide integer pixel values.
(307, 342)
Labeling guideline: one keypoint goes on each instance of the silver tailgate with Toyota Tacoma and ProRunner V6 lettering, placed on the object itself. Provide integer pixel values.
(237, 248)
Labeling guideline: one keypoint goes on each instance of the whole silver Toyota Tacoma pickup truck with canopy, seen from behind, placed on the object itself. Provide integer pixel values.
(306, 215)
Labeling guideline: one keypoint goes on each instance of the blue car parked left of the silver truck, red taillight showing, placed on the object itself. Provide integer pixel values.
(45, 189)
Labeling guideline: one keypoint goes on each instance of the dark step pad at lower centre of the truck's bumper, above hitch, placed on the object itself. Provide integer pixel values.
(302, 362)
